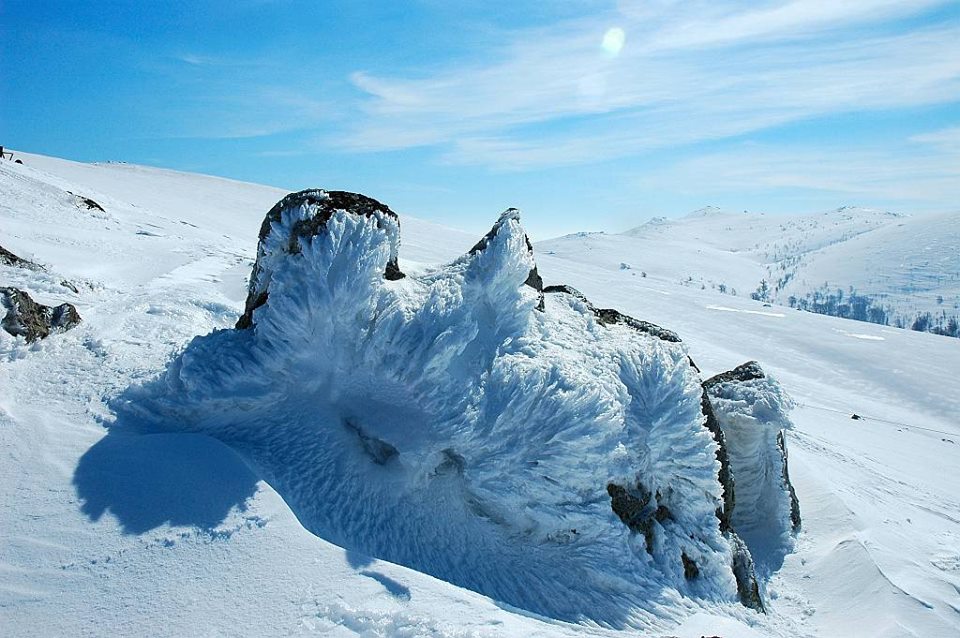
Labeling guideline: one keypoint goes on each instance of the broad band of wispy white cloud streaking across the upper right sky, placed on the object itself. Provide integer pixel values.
(688, 72)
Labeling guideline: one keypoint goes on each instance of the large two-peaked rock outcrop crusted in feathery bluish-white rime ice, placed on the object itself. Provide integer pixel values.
(524, 445)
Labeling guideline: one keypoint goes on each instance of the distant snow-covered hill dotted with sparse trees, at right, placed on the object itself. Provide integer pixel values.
(850, 262)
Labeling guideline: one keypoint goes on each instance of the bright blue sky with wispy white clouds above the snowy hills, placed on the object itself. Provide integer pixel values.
(587, 115)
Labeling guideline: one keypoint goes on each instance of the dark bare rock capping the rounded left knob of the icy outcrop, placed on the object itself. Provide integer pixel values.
(326, 203)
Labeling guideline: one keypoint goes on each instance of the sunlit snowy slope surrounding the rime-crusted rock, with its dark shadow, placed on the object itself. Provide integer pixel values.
(172, 534)
